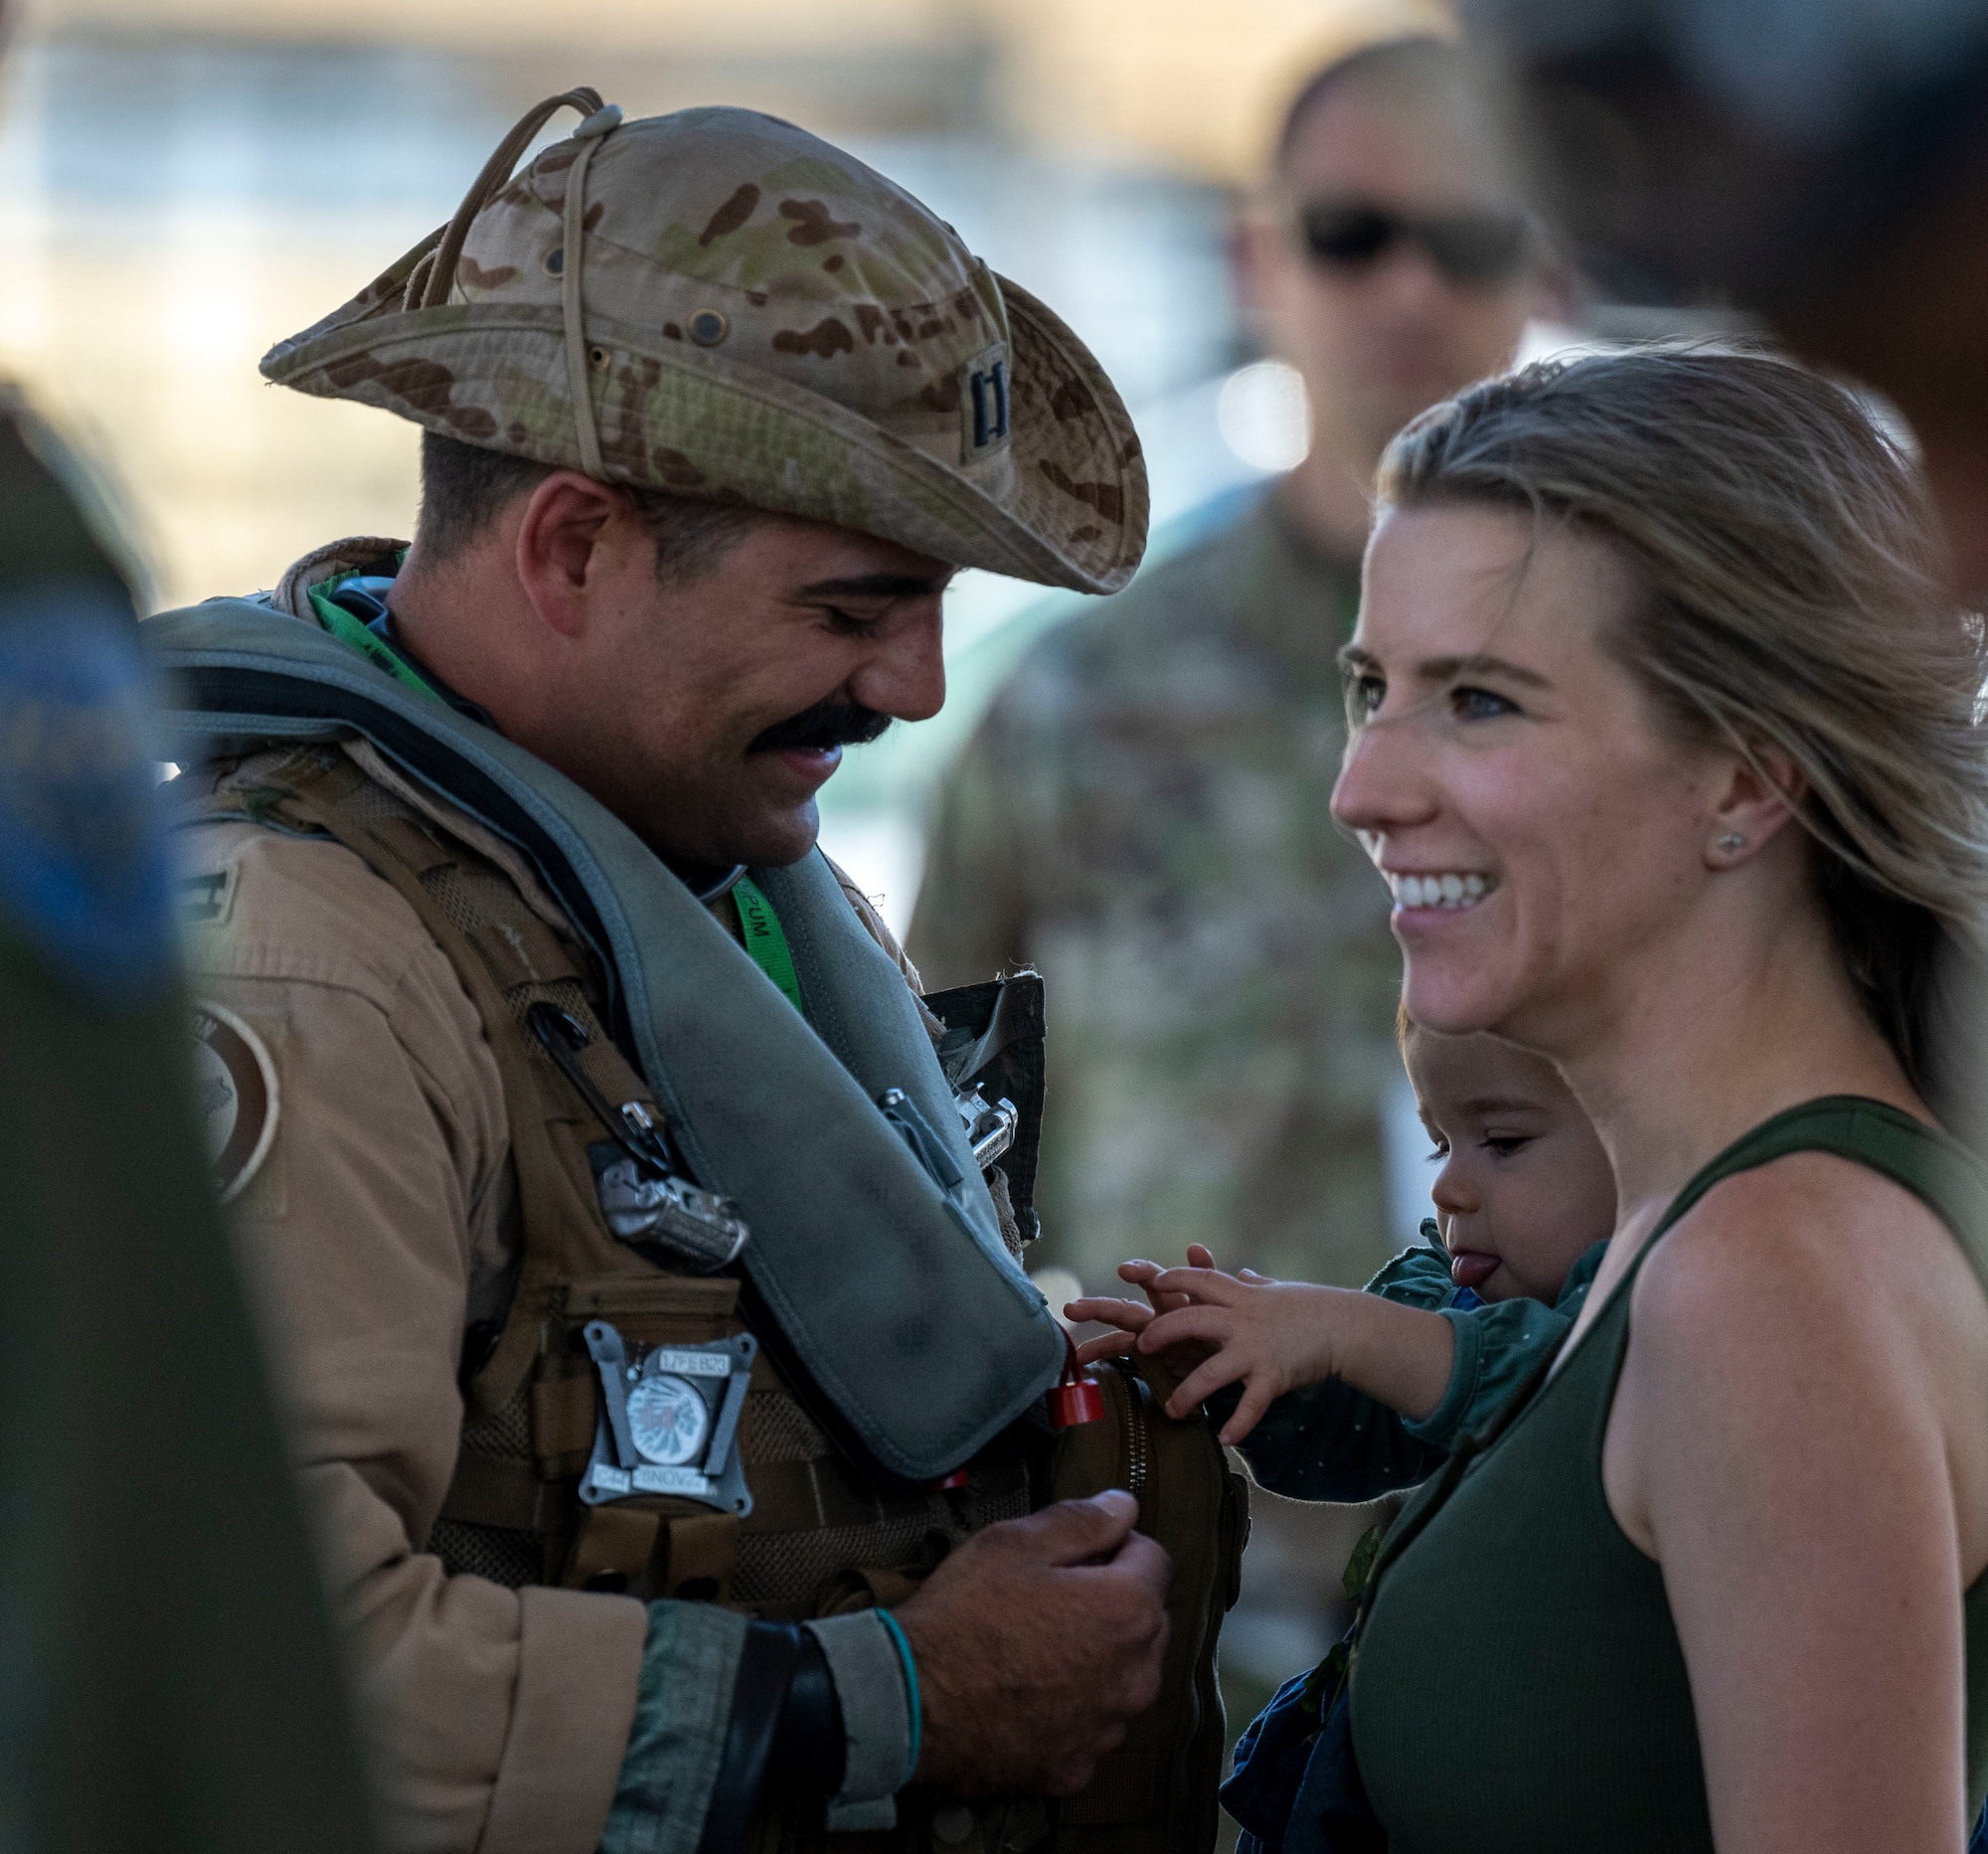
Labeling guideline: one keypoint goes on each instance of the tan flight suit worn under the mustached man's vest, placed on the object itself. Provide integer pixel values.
(385, 1210)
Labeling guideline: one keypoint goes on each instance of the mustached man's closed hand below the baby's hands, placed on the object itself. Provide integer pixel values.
(1037, 1642)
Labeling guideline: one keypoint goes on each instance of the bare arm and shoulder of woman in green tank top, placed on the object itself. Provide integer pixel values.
(1800, 1437)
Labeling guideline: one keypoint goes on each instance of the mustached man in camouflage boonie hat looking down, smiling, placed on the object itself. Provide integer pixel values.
(639, 1252)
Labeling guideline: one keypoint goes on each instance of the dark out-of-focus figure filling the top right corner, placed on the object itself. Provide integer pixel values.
(1824, 168)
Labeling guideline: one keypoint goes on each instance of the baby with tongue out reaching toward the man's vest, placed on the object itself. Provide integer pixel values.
(1347, 1395)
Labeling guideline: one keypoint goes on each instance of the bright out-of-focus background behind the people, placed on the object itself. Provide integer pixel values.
(188, 182)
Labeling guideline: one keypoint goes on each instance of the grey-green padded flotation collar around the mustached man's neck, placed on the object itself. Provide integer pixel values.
(768, 1109)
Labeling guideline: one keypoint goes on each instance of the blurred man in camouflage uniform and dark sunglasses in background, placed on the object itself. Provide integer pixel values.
(1144, 813)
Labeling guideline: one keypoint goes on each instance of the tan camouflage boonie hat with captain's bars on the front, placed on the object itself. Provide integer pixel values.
(754, 317)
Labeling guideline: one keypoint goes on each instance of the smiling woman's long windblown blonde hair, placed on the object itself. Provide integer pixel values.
(1792, 598)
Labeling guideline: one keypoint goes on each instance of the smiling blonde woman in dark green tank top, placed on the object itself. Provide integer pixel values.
(1667, 747)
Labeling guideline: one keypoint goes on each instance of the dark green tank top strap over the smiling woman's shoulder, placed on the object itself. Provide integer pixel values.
(1931, 1165)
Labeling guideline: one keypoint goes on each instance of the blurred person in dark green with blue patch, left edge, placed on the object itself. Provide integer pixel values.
(166, 1672)
